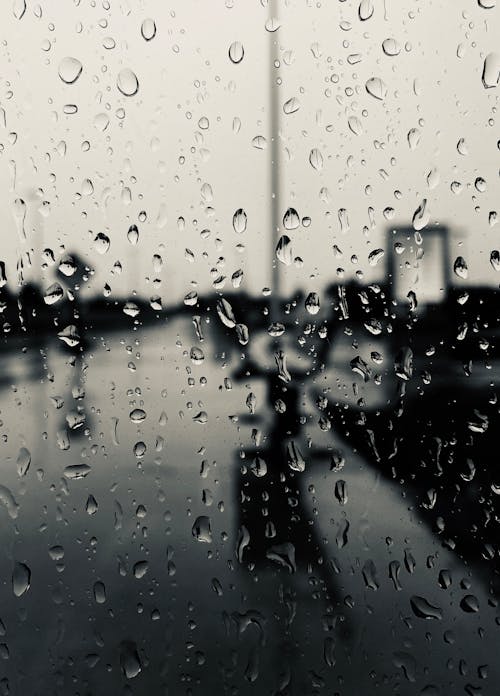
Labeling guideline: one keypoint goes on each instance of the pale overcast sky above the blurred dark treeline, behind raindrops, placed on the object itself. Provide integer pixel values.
(196, 114)
